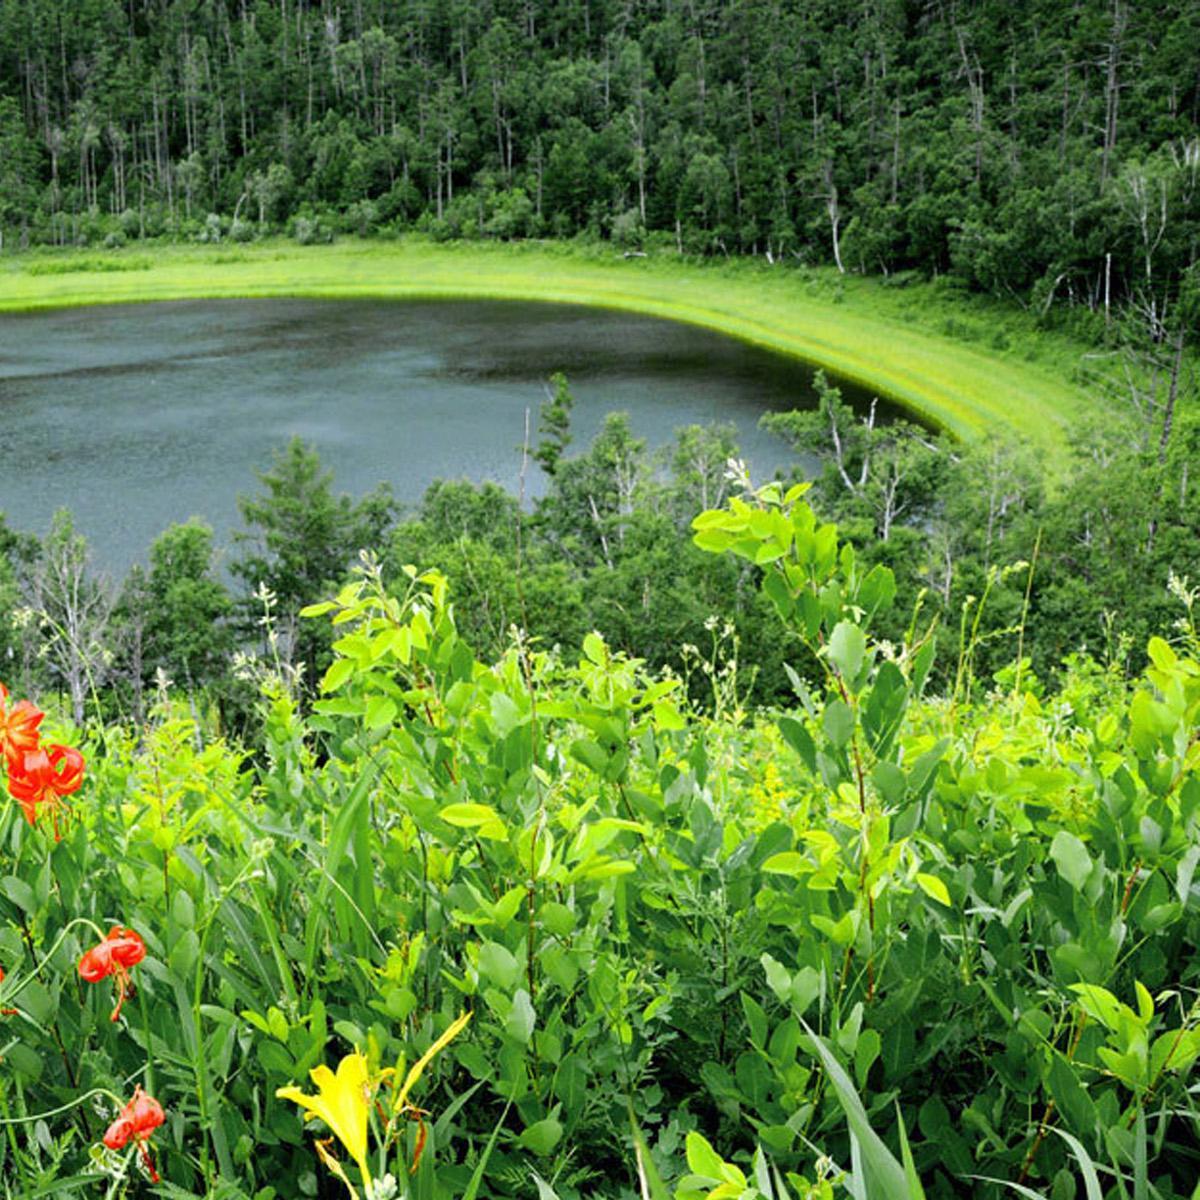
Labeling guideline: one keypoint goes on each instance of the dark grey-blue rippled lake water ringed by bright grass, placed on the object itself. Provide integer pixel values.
(135, 417)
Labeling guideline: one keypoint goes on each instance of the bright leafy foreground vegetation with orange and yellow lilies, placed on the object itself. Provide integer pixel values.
(560, 934)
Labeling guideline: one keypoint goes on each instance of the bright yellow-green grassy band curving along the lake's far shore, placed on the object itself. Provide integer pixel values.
(885, 339)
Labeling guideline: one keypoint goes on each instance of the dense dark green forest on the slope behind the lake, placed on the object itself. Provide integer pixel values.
(1040, 151)
